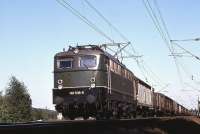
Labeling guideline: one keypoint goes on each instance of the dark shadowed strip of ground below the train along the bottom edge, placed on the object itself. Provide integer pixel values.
(141, 126)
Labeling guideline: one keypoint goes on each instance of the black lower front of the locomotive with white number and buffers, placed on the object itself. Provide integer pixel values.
(78, 102)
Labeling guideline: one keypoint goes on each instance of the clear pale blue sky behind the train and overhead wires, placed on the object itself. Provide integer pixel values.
(33, 31)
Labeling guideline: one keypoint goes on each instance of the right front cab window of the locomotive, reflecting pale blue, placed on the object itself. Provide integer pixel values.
(88, 61)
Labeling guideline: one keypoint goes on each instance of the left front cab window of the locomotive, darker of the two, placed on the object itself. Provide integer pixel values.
(65, 63)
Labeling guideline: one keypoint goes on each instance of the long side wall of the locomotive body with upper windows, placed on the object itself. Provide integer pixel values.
(122, 85)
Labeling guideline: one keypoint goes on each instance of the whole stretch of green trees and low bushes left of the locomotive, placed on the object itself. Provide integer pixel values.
(16, 105)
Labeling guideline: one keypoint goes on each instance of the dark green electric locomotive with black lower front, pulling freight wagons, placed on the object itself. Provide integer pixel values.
(90, 82)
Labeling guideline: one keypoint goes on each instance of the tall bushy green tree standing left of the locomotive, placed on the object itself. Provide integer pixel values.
(18, 101)
